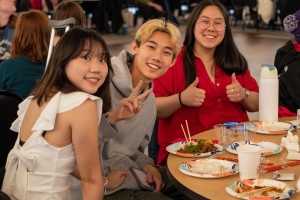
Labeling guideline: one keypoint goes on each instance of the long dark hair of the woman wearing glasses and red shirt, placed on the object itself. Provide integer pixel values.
(227, 56)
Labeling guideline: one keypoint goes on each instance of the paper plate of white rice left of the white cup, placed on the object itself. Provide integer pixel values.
(209, 168)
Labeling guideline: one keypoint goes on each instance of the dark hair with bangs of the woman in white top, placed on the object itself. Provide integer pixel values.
(70, 46)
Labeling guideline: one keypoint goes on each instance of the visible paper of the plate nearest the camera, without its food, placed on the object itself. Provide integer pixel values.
(288, 190)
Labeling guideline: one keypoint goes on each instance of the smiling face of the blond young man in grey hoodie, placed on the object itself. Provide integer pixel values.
(153, 57)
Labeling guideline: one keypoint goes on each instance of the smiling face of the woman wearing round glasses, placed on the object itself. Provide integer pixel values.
(209, 38)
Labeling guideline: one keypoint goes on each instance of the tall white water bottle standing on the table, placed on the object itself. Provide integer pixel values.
(268, 93)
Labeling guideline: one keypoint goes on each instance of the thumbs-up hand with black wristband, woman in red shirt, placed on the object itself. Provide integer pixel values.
(192, 95)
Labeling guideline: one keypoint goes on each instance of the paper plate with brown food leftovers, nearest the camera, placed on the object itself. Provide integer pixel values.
(246, 188)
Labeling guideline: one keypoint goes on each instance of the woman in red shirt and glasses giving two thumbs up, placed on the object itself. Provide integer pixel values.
(210, 83)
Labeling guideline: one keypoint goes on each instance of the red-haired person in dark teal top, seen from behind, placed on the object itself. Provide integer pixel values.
(29, 49)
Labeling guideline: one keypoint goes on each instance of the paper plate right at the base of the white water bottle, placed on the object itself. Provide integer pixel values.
(270, 128)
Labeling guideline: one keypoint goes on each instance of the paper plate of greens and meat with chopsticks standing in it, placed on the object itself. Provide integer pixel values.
(194, 149)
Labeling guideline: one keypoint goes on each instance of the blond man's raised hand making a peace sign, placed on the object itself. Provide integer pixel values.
(129, 107)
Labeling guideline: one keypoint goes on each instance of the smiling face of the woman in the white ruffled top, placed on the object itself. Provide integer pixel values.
(88, 71)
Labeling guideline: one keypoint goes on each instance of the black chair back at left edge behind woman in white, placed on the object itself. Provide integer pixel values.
(8, 113)
